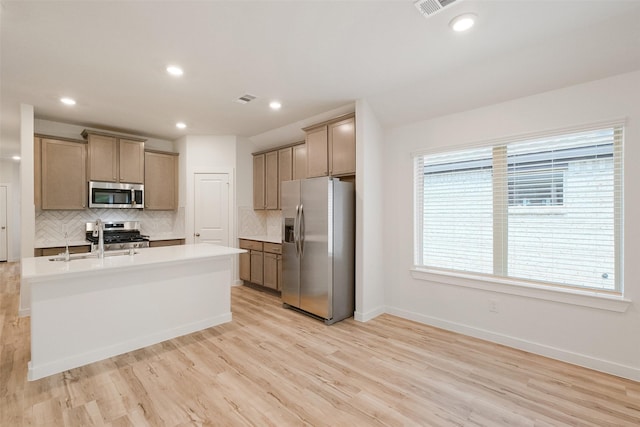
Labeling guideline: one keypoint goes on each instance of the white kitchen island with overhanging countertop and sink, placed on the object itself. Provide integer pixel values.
(90, 309)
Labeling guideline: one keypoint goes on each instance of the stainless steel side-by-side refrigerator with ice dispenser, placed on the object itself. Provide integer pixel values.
(318, 249)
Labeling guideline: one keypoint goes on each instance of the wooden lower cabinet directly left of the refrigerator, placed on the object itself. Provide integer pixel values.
(262, 263)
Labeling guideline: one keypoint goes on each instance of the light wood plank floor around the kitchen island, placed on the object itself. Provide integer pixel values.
(276, 367)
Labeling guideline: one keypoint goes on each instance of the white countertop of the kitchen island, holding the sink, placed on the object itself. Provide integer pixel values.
(38, 268)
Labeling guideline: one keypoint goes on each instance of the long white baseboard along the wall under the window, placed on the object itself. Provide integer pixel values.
(583, 360)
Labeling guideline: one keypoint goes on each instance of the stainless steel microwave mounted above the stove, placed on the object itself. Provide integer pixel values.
(116, 195)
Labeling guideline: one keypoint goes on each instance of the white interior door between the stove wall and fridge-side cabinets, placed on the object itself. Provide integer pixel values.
(211, 208)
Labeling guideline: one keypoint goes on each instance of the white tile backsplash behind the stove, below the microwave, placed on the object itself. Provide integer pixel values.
(52, 225)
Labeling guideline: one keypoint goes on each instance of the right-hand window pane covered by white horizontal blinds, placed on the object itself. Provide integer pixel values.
(573, 243)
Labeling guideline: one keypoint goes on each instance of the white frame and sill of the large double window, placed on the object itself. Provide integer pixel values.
(593, 297)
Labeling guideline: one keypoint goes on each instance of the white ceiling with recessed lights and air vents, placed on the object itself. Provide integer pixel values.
(312, 56)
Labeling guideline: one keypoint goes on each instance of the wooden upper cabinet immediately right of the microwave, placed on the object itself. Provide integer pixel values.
(160, 180)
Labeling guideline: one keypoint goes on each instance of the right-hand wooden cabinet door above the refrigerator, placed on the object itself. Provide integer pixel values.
(342, 147)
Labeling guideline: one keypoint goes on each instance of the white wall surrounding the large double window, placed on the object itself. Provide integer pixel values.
(601, 339)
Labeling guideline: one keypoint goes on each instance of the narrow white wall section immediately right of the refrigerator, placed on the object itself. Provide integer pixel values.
(369, 208)
